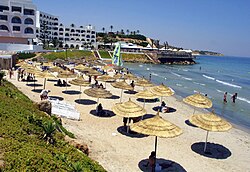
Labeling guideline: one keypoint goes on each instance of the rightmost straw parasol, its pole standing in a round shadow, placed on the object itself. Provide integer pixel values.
(210, 122)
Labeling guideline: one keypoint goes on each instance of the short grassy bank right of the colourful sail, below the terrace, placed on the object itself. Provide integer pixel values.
(135, 58)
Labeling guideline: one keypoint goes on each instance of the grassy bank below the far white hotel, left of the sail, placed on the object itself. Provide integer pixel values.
(71, 54)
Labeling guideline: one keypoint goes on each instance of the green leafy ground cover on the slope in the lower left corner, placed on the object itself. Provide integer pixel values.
(23, 131)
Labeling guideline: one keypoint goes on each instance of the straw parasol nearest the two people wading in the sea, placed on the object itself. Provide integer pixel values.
(198, 100)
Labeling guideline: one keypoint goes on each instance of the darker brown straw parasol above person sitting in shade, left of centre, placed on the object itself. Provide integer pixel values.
(97, 93)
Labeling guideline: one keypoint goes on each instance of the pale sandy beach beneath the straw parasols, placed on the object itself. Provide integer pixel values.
(116, 151)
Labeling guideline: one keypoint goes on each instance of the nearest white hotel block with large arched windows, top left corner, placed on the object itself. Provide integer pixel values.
(17, 21)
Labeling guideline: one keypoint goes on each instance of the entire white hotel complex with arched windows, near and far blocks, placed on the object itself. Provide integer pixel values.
(22, 26)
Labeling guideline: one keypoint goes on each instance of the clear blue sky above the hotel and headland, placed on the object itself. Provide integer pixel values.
(215, 25)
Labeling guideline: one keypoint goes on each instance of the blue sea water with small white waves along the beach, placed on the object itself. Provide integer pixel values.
(212, 76)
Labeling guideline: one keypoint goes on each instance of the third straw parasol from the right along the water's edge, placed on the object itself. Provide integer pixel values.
(161, 90)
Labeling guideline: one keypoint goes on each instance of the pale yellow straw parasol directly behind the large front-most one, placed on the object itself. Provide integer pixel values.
(128, 109)
